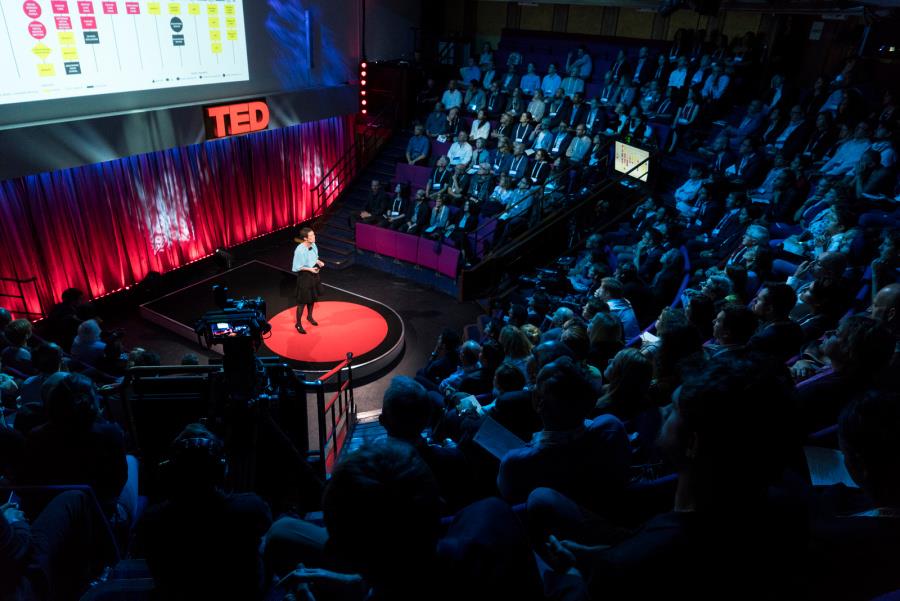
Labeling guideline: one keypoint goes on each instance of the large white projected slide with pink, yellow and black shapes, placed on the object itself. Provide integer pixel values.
(58, 49)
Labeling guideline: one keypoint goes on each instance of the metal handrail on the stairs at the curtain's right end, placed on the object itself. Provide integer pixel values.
(365, 147)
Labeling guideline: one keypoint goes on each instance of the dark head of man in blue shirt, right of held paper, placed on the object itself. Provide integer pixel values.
(563, 396)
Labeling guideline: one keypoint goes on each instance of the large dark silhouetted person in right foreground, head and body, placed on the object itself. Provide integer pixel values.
(712, 440)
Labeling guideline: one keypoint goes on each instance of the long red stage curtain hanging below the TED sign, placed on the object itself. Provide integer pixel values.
(106, 226)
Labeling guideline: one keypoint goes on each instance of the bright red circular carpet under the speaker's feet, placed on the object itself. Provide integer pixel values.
(343, 327)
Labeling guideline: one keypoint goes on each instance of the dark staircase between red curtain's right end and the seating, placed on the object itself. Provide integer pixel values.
(334, 236)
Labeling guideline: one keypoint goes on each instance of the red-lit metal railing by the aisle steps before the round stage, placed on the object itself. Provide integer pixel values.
(336, 416)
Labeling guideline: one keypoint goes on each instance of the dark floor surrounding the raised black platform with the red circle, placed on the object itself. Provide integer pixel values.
(424, 312)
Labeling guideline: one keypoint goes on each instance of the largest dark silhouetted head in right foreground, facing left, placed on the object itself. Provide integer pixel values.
(713, 440)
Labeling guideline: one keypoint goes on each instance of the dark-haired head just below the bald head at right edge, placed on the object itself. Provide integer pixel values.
(860, 348)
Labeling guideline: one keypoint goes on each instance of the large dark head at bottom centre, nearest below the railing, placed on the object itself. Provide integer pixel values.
(398, 548)
